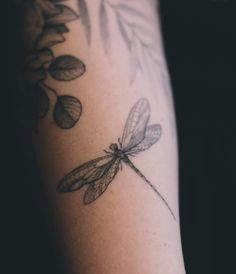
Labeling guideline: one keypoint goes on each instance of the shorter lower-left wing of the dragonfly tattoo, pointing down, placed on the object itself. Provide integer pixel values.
(97, 188)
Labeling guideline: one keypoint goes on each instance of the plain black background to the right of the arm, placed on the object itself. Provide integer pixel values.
(200, 46)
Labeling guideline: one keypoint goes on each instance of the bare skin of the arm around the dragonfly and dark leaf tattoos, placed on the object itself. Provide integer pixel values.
(128, 229)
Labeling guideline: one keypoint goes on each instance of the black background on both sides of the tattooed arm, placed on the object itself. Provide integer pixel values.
(200, 43)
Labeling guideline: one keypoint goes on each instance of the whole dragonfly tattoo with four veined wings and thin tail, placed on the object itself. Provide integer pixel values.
(100, 172)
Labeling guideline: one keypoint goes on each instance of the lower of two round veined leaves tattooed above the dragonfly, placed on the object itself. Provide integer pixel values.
(67, 111)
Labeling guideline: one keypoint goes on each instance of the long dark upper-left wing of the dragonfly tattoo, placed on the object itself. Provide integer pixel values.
(84, 174)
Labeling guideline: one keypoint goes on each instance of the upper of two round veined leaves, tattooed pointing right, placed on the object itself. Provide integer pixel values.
(66, 68)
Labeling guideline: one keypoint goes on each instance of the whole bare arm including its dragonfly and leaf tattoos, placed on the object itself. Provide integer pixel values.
(111, 218)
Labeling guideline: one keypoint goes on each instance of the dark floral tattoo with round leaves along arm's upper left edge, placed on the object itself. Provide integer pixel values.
(44, 26)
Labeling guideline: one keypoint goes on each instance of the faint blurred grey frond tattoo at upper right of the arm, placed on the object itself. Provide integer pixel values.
(132, 24)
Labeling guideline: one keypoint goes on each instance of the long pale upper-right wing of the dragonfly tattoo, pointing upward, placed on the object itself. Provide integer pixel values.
(136, 124)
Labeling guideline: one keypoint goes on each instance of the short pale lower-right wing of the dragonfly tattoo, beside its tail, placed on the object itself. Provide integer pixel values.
(153, 134)
